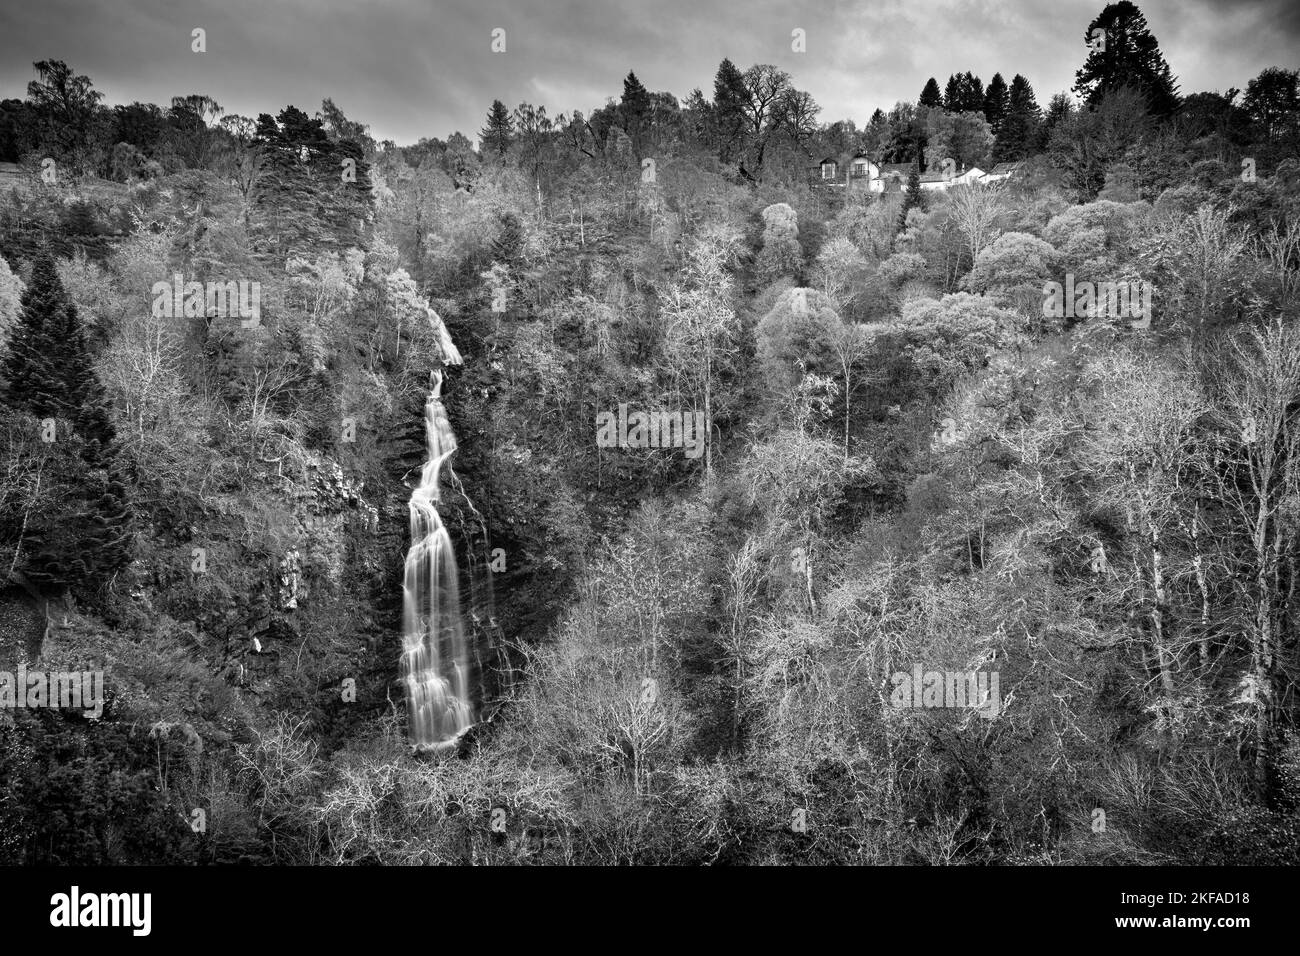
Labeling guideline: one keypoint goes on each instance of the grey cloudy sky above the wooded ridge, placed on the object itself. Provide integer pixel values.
(417, 68)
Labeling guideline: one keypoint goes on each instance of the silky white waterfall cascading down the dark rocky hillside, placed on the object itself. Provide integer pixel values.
(435, 657)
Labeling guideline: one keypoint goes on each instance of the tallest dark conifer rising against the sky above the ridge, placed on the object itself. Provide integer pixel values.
(1129, 57)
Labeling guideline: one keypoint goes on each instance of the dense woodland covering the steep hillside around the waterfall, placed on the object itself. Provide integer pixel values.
(908, 462)
